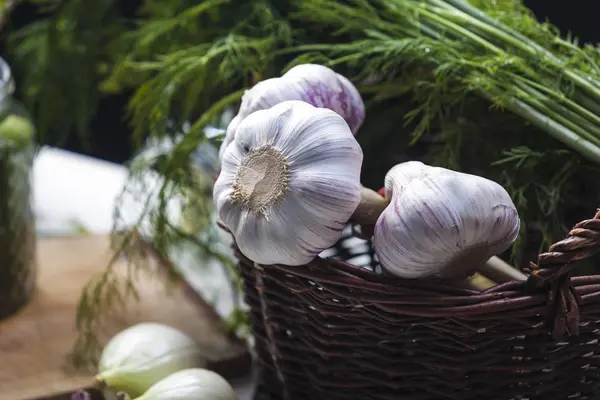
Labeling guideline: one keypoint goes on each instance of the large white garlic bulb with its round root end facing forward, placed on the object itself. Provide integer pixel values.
(289, 182)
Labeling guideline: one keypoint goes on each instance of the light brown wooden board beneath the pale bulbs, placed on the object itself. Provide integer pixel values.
(34, 343)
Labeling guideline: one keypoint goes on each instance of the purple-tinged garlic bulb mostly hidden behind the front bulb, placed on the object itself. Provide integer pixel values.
(315, 84)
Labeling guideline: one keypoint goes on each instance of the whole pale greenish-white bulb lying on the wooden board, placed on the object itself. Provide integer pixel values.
(139, 356)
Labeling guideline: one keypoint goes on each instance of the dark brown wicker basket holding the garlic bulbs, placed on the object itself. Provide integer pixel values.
(334, 329)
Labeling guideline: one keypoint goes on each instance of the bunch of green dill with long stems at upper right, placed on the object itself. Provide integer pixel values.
(467, 52)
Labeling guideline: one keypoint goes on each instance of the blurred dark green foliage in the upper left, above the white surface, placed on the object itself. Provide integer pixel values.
(60, 59)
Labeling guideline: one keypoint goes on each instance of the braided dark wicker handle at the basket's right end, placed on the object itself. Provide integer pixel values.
(553, 272)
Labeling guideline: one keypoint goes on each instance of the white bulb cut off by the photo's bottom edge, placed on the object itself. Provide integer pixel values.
(190, 384)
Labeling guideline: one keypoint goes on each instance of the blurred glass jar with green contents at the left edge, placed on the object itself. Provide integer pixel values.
(17, 220)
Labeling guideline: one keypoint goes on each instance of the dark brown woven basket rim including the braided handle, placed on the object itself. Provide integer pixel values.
(549, 285)
